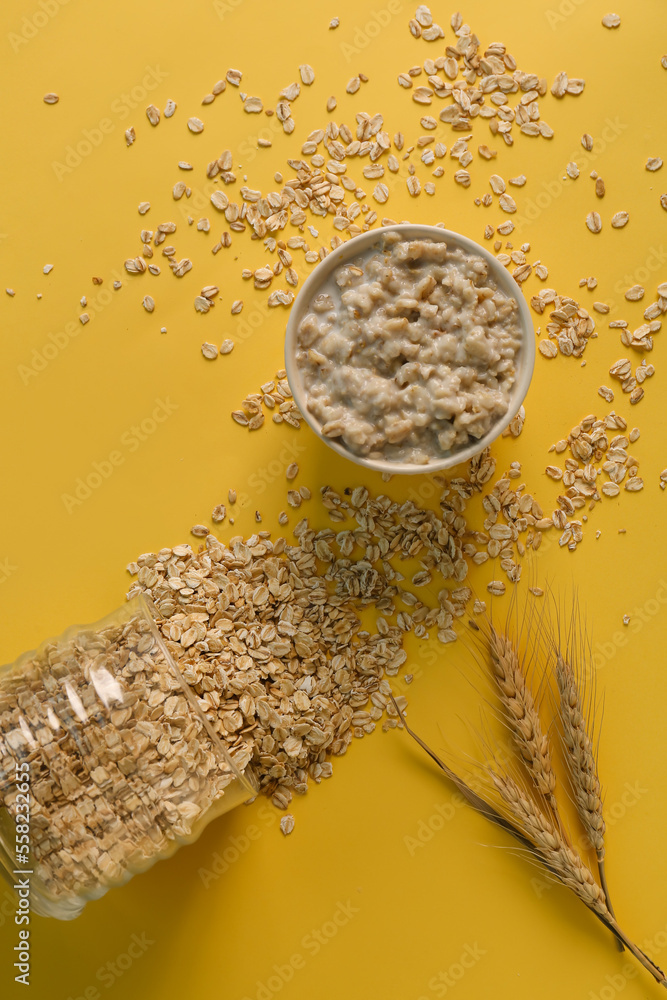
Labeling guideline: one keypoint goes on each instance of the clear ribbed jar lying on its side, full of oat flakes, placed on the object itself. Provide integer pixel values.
(107, 763)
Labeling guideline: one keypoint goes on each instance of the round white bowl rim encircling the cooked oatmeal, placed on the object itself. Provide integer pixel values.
(357, 246)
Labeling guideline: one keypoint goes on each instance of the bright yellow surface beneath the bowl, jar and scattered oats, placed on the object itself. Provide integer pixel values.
(404, 914)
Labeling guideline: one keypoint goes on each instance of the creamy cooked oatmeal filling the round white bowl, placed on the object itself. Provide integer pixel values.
(411, 353)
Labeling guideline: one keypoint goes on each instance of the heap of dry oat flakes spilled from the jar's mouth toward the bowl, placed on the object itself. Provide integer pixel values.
(268, 634)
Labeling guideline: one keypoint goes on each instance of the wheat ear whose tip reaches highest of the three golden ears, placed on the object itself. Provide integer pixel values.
(522, 716)
